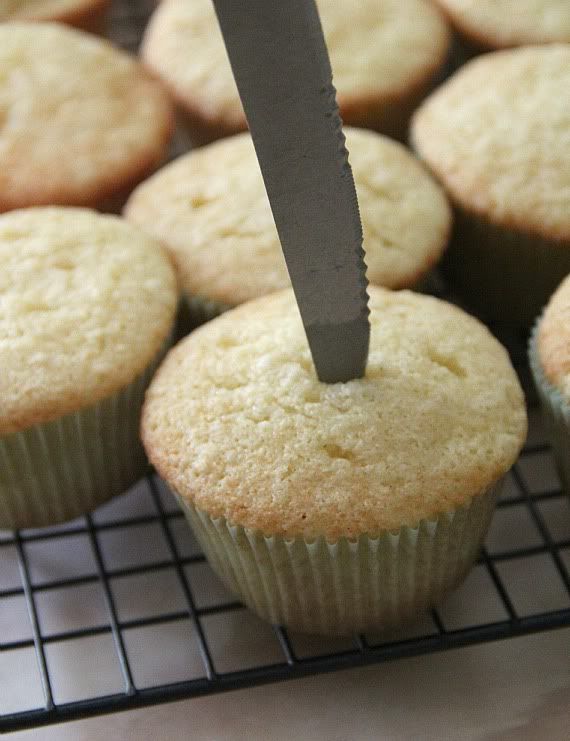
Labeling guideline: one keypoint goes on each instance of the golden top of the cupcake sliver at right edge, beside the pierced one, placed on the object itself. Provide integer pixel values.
(553, 340)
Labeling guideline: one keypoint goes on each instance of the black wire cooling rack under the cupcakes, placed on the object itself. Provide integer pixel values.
(207, 640)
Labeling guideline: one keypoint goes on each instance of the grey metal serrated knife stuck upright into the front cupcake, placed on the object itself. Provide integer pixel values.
(282, 70)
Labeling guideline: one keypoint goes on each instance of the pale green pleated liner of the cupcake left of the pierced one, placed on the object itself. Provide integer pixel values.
(62, 469)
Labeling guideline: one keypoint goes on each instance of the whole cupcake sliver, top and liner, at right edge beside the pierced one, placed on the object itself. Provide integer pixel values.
(549, 354)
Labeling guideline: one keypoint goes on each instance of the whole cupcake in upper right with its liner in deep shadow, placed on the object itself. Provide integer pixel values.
(497, 136)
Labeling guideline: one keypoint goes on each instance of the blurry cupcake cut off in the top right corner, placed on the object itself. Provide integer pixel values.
(487, 25)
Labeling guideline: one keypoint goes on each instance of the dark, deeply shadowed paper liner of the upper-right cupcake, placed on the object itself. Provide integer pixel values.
(505, 276)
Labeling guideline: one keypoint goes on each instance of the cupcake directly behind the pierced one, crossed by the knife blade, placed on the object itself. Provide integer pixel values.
(210, 209)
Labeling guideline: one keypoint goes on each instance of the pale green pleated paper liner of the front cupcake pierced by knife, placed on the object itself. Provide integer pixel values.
(349, 586)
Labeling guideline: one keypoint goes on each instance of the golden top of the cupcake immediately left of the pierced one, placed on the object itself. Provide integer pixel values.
(86, 303)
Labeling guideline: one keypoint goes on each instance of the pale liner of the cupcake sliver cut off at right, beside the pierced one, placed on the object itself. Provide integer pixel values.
(556, 412)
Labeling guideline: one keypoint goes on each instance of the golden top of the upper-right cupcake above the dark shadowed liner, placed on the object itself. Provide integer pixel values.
(497, 135)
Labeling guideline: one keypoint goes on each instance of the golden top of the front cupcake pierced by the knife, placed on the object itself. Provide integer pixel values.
(237, 422)
